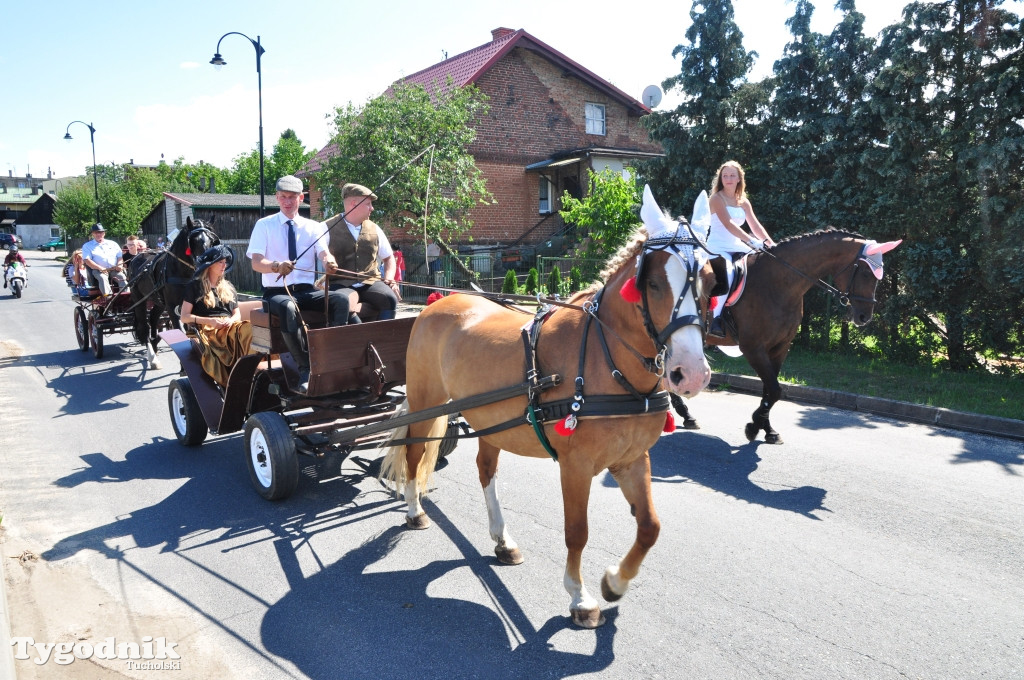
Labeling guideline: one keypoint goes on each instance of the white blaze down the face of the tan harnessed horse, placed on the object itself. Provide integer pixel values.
(686, 366)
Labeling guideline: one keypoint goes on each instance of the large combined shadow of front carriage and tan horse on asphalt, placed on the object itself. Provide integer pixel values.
(347, 619)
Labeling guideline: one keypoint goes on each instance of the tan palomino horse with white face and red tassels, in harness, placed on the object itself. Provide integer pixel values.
(465, 346)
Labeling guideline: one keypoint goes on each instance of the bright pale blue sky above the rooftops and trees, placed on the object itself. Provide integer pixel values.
(140, 70)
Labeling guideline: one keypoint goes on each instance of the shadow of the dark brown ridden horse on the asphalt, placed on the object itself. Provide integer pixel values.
(714, 464)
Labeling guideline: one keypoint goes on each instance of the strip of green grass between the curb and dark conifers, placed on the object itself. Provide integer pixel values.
(971, 393)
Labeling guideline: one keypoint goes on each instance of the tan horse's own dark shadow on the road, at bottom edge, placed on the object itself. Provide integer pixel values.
(386, 624)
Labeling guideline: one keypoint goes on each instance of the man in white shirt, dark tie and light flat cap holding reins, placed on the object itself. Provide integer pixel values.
(284, 248)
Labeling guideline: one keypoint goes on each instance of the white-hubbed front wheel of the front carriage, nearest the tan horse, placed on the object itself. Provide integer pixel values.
(274, 465)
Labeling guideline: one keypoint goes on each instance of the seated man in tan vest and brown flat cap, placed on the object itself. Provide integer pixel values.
(362, 247)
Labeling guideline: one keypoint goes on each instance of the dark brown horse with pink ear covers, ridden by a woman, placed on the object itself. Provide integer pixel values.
(766, 318)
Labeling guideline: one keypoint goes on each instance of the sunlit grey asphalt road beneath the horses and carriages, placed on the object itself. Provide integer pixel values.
(862, 548)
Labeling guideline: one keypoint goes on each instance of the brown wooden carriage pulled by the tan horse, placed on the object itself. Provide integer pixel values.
(357, 376)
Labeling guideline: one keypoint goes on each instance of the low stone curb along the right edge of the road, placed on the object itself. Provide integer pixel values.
(969, 422)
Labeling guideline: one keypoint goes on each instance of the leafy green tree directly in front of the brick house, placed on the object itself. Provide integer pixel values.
(376, 142)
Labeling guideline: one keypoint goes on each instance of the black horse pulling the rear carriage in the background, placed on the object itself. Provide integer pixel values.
(159, 277)
